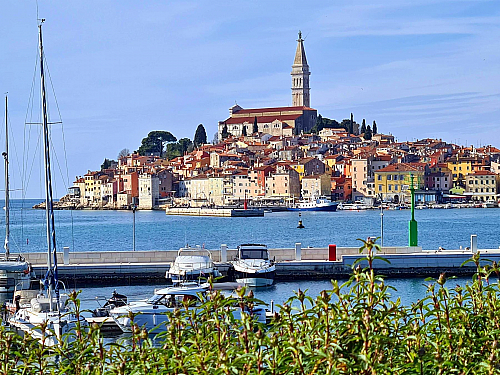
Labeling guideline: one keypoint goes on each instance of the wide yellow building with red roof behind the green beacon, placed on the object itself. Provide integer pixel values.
(395, 180)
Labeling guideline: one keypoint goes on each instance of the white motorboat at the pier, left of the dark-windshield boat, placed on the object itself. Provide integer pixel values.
(192, 263)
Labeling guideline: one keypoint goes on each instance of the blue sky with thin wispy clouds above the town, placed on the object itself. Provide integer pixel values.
(120, 69)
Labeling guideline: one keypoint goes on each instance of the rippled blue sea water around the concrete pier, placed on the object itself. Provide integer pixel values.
(94, 230)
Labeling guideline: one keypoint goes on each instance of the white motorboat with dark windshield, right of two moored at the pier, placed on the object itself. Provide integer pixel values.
(253, 267)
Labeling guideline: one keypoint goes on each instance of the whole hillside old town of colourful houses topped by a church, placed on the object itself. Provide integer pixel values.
(274, 156)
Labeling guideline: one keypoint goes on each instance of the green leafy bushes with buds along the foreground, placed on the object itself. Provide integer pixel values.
(450, 331)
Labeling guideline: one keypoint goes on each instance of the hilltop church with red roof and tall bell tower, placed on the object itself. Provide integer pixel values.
(278, 121)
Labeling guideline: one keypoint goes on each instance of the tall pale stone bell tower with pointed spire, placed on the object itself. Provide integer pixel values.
(300, 77)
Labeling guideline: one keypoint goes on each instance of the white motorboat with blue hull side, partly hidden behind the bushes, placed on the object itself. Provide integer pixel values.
(152, 315)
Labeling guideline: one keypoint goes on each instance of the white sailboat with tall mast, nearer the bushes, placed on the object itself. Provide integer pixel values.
(48, 317)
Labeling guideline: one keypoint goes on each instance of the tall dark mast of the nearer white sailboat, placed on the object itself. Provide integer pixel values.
(49, 209)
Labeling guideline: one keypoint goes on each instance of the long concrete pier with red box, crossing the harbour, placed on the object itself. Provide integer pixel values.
(78, 269)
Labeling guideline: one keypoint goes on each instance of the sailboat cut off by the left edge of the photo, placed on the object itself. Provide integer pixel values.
(14, 270)
